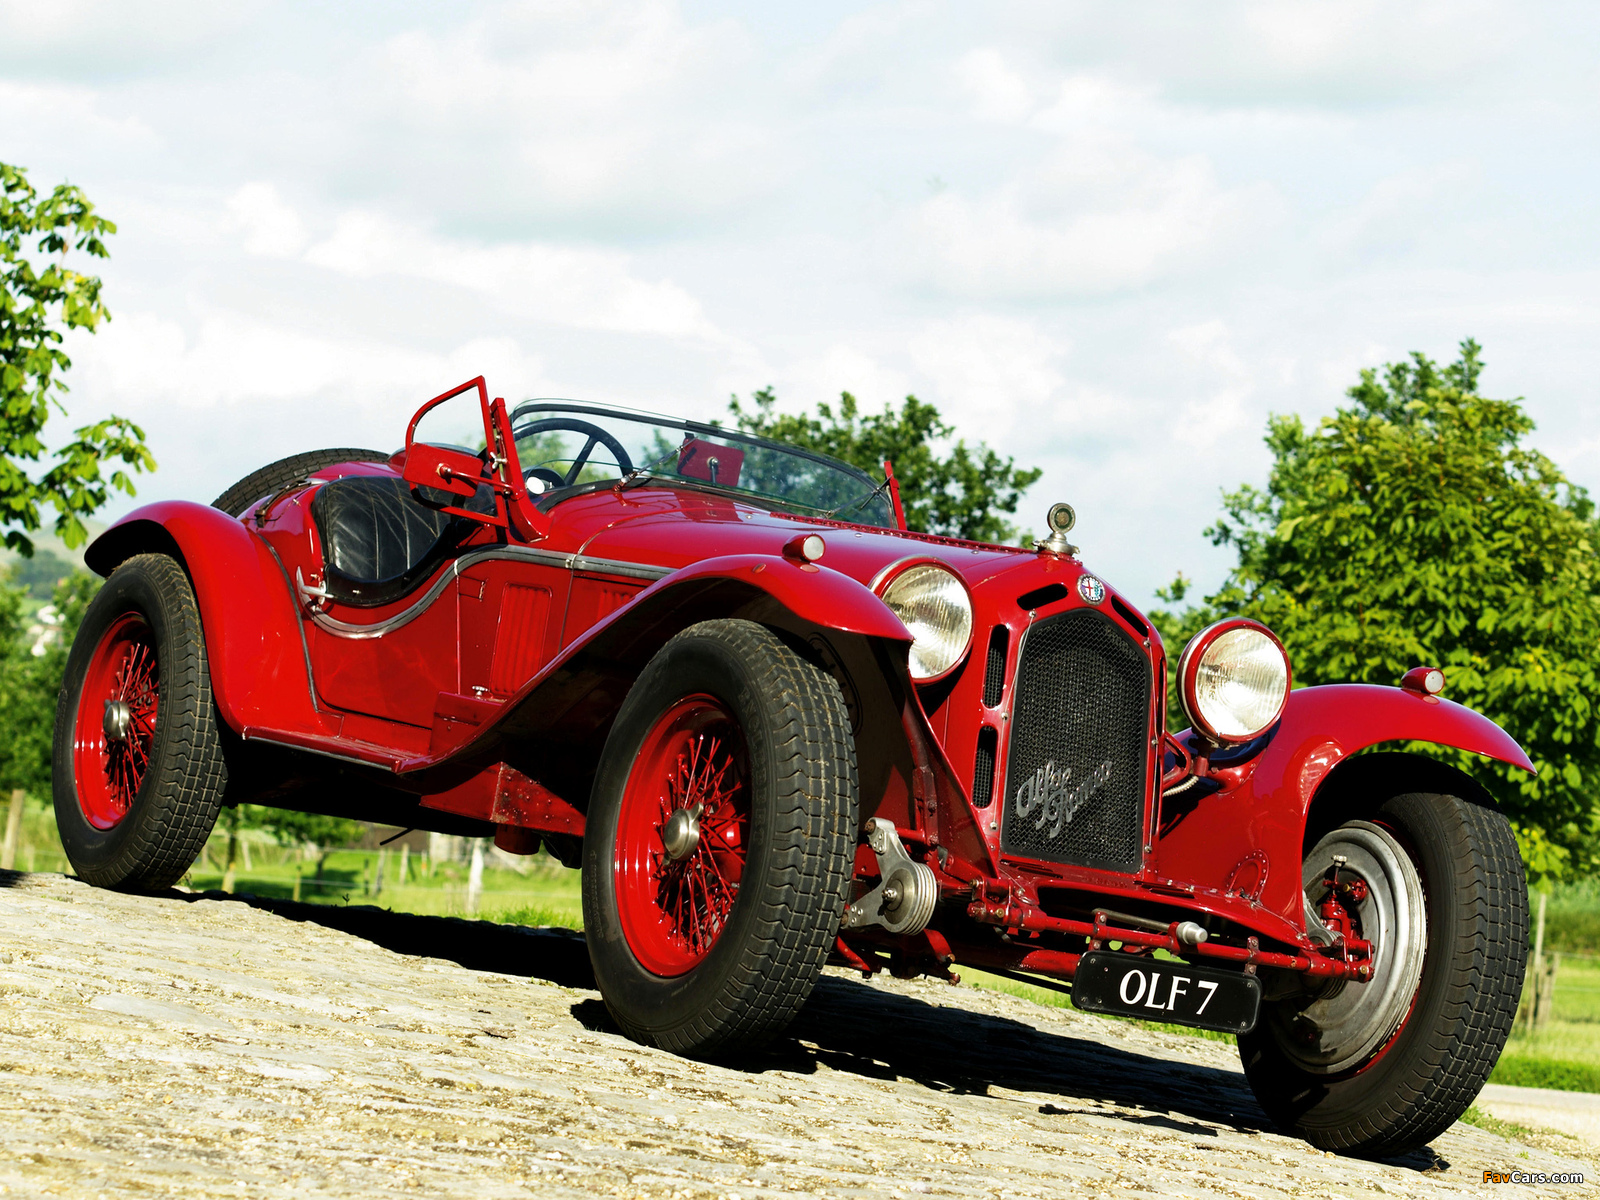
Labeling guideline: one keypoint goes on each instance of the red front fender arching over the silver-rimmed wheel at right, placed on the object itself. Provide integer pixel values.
(1249, 839)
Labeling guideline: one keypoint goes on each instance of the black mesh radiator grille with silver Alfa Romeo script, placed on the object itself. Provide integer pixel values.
(1076, 774)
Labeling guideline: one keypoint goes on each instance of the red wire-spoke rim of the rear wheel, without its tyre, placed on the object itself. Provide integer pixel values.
(116, 726)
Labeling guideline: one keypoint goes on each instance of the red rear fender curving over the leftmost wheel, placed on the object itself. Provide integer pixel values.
(252, 630)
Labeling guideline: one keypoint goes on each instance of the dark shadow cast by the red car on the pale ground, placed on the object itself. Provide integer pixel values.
(850, 1026)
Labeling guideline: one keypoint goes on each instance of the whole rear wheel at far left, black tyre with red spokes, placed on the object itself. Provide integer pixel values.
(148, 602)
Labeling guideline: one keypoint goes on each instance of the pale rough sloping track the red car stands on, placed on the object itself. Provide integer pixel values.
(206, 1047)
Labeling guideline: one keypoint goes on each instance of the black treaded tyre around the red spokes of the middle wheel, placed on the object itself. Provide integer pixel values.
(801, 794)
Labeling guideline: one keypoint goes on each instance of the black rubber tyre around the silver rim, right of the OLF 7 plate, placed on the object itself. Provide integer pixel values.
(1418, 1084)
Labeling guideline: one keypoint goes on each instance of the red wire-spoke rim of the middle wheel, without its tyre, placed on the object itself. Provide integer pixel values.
(682, 836)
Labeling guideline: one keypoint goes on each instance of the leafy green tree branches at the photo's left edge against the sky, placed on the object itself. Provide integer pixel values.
(41, 295)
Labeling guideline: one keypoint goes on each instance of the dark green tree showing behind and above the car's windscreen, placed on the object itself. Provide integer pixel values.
(961, 494)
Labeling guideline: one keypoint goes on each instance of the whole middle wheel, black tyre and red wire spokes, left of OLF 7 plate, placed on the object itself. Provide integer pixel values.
(719, 841)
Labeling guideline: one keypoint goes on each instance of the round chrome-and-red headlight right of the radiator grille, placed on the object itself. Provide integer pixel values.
(1234, 681)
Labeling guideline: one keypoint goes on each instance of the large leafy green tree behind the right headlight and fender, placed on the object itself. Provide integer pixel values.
(1417, 527)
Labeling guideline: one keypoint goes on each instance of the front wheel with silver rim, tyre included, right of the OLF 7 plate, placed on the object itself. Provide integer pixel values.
(1385, 1066)
